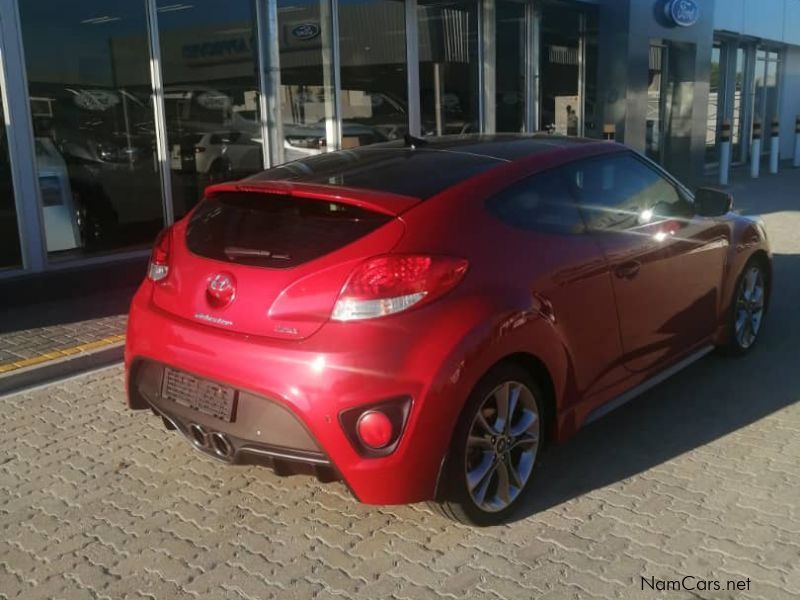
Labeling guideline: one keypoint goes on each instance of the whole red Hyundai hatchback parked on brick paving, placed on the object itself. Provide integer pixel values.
(419, 318)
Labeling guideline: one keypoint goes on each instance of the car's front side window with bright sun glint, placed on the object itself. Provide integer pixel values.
(622, 192)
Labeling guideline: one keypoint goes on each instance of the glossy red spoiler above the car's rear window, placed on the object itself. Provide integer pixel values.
(375, 201)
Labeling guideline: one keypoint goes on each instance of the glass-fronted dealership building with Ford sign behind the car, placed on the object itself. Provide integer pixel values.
(118, 113)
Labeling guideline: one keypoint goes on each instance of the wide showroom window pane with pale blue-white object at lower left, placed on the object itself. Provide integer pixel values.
(92, 115)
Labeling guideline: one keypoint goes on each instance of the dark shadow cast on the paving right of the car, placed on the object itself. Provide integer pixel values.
(712, 398)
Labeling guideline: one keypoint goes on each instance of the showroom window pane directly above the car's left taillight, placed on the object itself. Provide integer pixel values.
(208, 58)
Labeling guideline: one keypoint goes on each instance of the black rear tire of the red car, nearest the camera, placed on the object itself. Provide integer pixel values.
(456, 501)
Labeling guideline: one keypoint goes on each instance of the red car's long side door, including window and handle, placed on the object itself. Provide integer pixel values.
(666, 263)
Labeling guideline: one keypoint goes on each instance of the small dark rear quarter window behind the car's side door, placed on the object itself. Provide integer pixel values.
(540, 203)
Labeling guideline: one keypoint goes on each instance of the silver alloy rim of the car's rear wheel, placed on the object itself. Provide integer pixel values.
(502, 445)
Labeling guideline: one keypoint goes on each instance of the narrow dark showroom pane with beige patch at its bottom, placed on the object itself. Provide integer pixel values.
(560, 52)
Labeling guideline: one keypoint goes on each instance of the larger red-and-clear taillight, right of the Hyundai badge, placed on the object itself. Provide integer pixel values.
(389, 284)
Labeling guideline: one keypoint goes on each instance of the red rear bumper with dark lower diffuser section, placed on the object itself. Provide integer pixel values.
(313, 382)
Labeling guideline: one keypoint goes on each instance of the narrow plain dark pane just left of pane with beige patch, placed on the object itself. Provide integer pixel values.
(510, 71)
